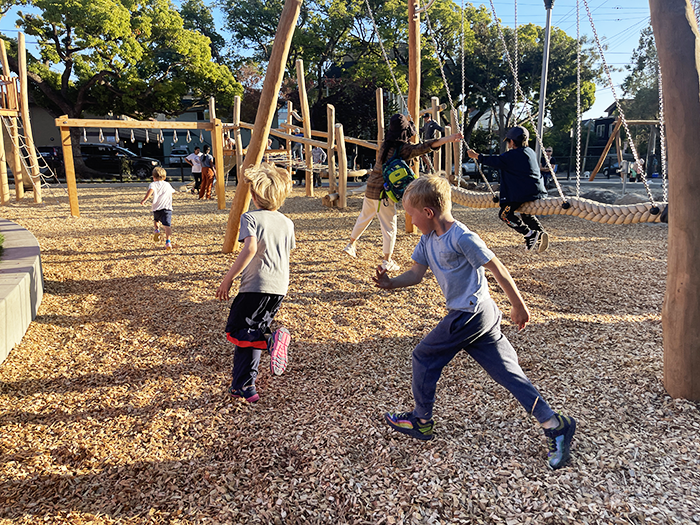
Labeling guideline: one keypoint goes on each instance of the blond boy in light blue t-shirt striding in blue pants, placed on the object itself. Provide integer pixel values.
(457, 258)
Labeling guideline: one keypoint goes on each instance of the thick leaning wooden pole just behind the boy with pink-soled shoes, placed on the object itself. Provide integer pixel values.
(263, 119)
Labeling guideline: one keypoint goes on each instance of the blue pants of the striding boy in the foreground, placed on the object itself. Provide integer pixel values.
(480, 335)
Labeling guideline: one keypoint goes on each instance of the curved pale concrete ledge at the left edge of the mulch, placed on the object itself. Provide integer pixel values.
(21, 284)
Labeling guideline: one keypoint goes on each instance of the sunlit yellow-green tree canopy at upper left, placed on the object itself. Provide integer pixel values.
(124, 57)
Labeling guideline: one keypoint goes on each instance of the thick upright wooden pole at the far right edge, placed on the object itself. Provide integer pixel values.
(678, 47)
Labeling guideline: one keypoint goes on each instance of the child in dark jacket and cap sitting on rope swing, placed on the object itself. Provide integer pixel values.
(521, 182)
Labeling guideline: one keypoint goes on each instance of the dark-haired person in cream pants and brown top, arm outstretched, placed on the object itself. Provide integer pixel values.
(396, 139)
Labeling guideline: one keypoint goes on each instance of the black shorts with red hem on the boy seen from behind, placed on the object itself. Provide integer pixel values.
(250, 317)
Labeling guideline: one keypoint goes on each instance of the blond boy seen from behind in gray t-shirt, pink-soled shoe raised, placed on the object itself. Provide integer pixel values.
(263, 264)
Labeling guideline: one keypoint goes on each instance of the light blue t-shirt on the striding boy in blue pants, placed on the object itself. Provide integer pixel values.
(456, 258)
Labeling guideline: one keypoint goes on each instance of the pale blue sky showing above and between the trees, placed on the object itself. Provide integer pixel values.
(618, 24)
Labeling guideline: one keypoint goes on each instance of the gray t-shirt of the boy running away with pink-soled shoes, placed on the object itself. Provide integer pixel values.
(268, 272)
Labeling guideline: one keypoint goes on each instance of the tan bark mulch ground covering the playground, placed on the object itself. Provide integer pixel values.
(114, 409)
